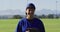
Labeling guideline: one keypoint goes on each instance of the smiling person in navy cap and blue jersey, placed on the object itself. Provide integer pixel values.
(34, 24)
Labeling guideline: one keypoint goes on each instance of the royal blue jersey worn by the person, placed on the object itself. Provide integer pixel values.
(24, 23)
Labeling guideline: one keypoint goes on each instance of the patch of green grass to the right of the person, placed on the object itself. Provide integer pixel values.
(52, 25)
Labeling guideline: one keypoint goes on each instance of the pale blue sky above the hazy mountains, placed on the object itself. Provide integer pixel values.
(22, 4)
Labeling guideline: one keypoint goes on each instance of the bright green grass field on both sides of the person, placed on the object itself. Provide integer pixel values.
(9, 25)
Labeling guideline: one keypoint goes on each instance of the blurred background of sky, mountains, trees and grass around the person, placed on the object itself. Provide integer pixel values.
(11, 11)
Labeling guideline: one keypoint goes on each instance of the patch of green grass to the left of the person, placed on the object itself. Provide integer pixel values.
(8, 25)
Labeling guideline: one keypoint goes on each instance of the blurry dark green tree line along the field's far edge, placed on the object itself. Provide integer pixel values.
(50, 16)
